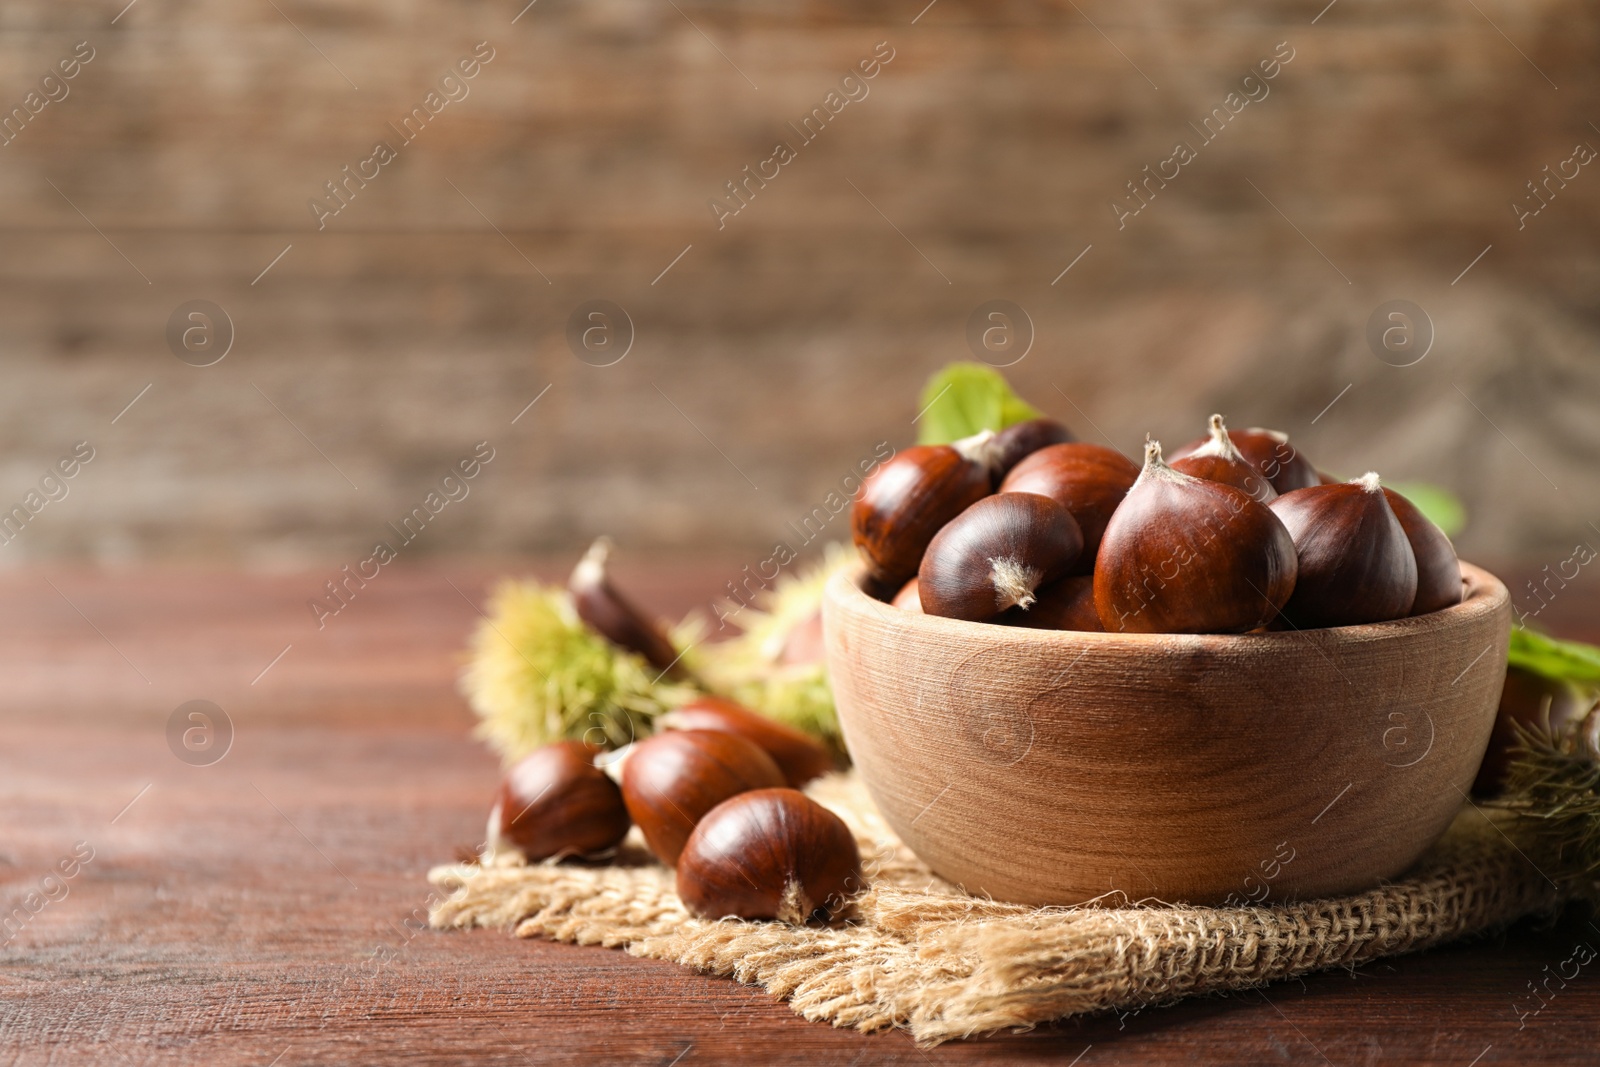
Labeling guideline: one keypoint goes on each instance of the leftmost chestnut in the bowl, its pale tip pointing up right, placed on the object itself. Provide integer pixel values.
(906, 502)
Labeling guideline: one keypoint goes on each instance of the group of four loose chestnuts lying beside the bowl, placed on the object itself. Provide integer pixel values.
(716, 794)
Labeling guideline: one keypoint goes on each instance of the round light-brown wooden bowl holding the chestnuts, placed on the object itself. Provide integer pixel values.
(1052, 767)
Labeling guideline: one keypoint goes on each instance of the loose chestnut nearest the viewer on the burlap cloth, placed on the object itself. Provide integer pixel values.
(770, 853)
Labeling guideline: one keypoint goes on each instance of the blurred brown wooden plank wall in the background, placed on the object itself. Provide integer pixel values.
(777, 351)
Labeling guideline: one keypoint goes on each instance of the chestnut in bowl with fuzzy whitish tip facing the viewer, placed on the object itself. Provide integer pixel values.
(996, 554)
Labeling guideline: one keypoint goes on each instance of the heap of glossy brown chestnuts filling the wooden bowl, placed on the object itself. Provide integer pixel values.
(1236, 533)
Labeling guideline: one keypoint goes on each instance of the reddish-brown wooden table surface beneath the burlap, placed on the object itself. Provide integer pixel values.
(228, 909)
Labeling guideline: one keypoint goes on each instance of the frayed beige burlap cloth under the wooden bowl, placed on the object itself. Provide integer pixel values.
(919, 954)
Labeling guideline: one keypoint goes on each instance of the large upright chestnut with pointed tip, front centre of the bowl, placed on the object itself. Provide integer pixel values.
(1188, 556)
